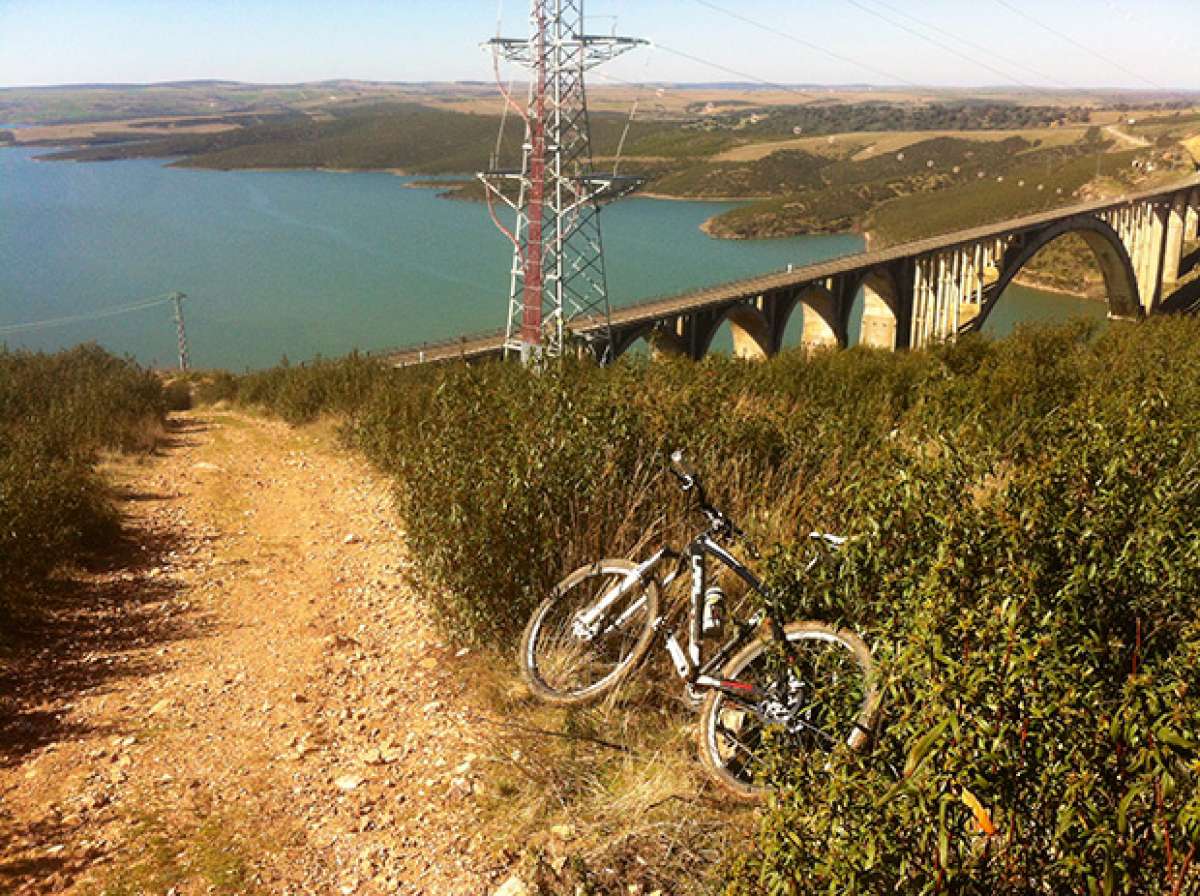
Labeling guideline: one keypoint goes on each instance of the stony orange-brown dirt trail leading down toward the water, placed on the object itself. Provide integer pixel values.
(249, 700)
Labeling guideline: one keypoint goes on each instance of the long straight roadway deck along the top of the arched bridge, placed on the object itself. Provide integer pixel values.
(661, 308)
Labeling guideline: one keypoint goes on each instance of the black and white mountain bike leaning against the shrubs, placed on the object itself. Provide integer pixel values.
(806, 683)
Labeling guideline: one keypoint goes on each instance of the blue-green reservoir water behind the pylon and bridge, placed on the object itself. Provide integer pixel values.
(315, 263)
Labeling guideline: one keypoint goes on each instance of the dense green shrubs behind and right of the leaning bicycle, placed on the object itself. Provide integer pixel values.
(1025, 564)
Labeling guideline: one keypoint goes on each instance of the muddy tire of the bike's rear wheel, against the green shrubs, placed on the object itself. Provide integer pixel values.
(749, 789)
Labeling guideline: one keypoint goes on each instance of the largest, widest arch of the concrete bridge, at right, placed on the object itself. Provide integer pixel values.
(1112, 257)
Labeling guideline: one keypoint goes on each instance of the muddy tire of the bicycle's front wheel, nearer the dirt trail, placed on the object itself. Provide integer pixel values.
(535, 641)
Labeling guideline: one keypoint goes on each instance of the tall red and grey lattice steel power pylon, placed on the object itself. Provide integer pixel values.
(559, 270)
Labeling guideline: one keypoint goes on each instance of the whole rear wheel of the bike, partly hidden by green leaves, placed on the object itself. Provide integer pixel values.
(819, 697)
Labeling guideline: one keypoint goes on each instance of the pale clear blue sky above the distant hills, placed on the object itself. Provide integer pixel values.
(1133, 43)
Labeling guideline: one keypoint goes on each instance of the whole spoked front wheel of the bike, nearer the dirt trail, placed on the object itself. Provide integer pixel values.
(575, 650)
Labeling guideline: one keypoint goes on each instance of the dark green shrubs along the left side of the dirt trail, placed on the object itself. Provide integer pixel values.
(57, 412)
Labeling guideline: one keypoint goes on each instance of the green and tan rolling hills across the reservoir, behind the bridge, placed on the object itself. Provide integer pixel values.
(861, 179)
